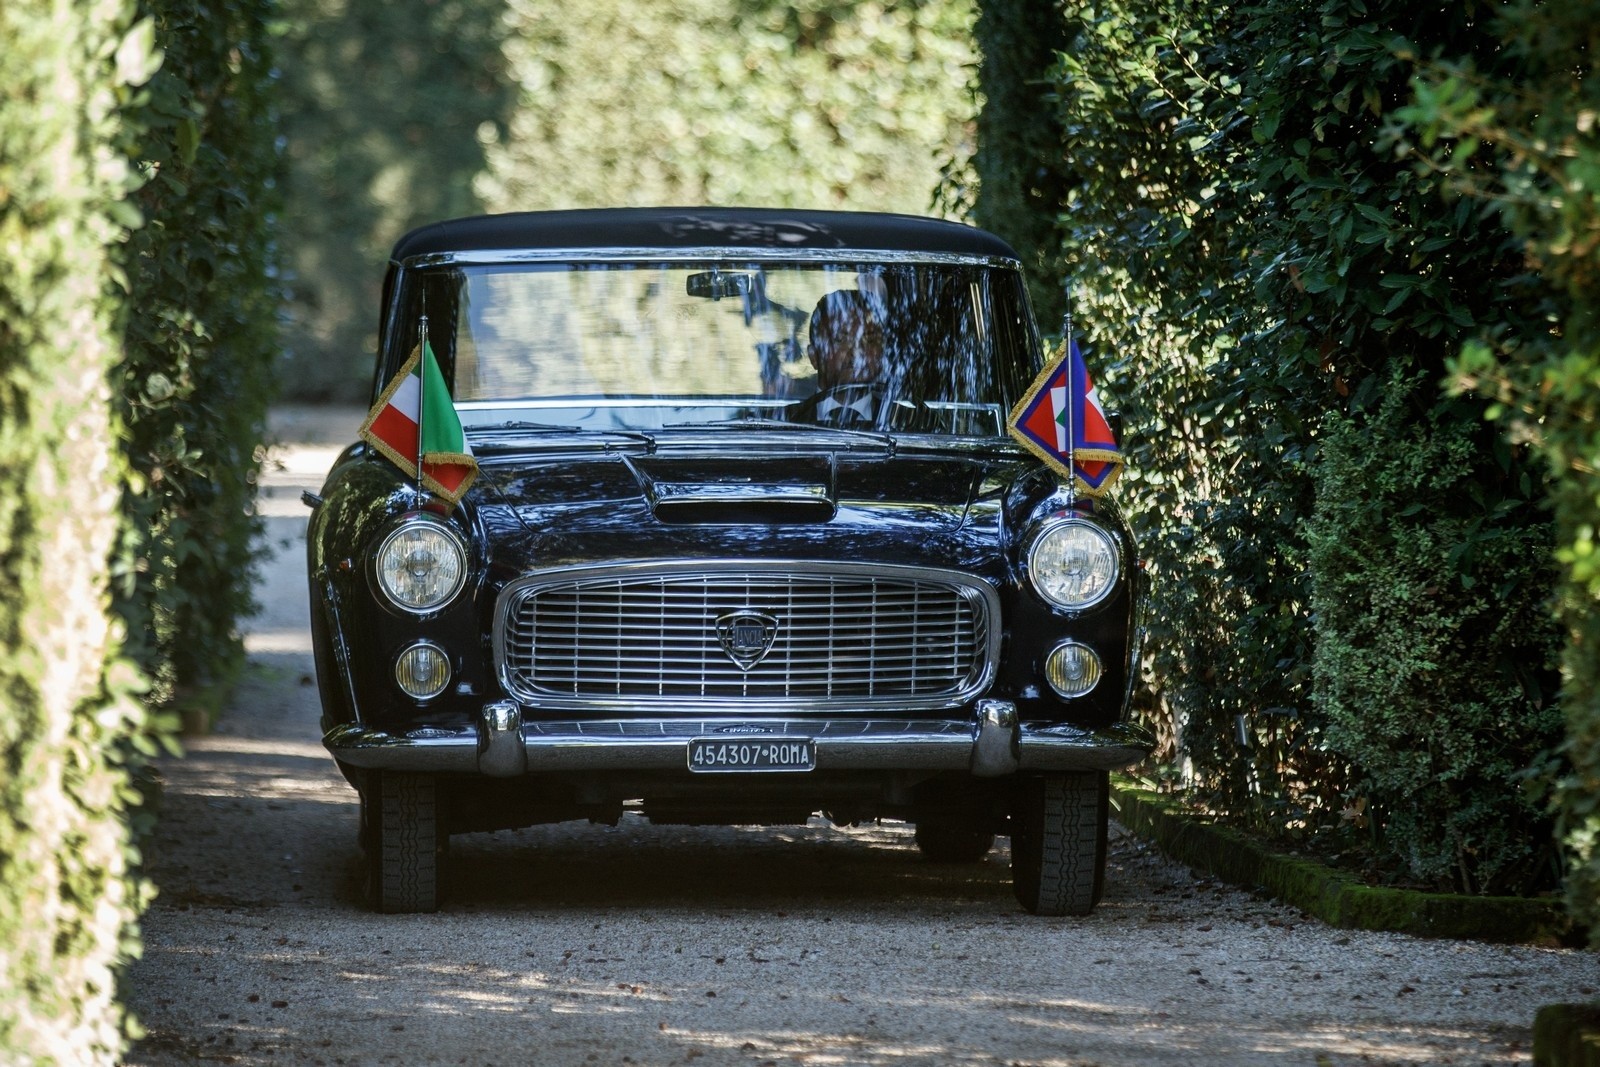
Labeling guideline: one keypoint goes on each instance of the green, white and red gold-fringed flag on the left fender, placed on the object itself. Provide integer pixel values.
(418, 396)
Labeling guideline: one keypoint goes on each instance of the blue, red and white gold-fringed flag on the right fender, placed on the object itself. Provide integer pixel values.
(1060, 420)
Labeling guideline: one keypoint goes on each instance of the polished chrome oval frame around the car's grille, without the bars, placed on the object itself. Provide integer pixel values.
(982, 596)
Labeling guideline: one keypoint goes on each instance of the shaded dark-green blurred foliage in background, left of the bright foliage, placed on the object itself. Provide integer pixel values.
(385, 110)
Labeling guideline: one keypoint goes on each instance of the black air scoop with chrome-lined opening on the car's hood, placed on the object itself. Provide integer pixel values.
(793, 492)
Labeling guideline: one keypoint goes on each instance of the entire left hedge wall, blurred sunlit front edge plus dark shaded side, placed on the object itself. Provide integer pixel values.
(137, 332)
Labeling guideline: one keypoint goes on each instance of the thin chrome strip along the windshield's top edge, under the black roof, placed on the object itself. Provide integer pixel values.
(719, 254)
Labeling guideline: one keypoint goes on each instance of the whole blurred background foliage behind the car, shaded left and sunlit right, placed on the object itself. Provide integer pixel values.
(534, 106)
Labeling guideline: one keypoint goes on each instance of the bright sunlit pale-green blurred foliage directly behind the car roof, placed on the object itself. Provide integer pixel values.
(820, 105)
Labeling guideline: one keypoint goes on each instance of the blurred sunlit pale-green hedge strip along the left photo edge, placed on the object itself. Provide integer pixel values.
(66, 898)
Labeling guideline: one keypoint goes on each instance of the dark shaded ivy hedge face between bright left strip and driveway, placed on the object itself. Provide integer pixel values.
(198, 369)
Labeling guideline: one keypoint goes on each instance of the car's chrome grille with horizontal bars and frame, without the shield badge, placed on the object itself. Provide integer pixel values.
(644, 637)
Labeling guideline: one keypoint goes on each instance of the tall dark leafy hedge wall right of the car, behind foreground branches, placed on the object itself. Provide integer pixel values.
(1273, 298)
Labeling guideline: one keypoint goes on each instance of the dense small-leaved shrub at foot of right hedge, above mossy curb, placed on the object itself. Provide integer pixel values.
(1431, 585)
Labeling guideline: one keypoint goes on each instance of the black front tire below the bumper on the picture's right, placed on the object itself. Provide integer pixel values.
(1058, 842)
